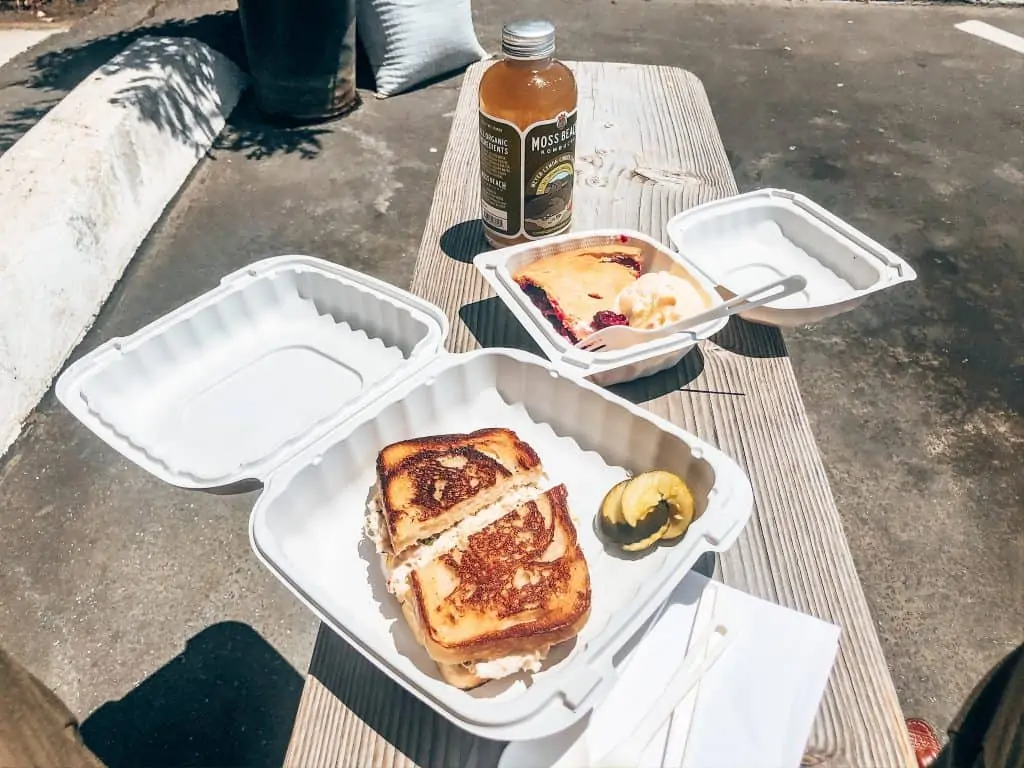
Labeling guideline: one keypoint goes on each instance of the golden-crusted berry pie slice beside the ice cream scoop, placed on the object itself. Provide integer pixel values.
(577, 290)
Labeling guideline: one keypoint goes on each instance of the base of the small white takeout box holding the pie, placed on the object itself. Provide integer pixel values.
(610, 367)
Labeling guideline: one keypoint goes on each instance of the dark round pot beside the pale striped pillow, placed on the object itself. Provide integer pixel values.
(303, 57)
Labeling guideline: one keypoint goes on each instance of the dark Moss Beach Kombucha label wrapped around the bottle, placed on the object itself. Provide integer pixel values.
(527, 177)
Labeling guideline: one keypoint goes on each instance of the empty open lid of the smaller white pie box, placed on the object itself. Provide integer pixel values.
(750, 240)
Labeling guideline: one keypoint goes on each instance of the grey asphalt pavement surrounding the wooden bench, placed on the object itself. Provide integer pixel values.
(886, 115)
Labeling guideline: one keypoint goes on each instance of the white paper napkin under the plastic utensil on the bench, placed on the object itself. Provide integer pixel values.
(754, 708)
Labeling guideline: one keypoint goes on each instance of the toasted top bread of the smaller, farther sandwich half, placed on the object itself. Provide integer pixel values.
(429, 485)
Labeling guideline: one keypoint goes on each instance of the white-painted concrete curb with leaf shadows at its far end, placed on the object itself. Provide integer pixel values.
(80, 192)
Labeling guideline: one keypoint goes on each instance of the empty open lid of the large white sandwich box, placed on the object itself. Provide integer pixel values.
(230, 387)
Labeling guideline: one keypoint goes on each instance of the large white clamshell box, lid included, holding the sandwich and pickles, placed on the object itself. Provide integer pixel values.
(294, 373)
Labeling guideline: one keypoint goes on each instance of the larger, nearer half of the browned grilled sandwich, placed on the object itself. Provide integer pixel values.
(516, 588)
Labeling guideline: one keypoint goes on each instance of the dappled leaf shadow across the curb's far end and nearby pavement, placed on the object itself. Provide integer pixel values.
(54, 74)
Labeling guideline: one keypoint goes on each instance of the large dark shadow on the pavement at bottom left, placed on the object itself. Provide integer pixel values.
(229, 700)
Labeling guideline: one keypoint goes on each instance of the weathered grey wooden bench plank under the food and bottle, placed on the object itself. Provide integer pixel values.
(648, 148)
